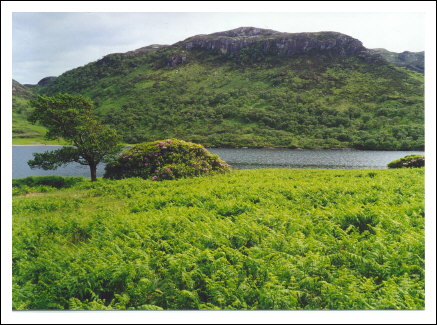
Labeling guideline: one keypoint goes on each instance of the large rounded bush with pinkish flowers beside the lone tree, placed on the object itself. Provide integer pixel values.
(165, 159)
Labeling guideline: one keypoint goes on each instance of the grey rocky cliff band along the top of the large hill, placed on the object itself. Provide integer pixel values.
(229, 42)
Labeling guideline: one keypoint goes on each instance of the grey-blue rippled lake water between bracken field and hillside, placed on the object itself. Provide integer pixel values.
(237, 158)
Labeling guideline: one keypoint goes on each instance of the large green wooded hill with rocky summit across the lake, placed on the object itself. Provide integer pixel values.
(255, 87)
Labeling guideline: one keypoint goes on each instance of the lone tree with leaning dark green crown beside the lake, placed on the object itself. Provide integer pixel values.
(71, 118)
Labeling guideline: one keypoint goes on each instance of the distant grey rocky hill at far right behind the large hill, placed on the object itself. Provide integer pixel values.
(411, 60)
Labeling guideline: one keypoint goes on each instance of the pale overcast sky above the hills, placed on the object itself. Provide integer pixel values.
(48, 44)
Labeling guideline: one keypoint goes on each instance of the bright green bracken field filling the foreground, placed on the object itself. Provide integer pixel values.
(252, 239)
